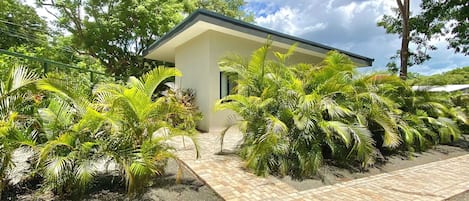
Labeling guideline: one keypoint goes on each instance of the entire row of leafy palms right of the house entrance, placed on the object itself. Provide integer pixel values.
(296, 117)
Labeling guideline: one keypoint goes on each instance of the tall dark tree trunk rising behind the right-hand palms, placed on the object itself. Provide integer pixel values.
(404, 8)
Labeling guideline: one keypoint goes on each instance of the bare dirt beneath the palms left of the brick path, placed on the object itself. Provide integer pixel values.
(112, 189)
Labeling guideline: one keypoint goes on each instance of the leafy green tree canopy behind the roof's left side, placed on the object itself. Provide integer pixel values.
(117, 32)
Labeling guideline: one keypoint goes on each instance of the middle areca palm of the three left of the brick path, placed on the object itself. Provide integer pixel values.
(68, 156)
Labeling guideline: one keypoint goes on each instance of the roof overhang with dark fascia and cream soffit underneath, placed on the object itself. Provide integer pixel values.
(202, 20)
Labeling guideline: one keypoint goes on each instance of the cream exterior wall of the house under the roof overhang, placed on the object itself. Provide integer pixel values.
(198, 61)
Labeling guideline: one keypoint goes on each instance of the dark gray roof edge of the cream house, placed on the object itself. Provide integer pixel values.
(238, 25)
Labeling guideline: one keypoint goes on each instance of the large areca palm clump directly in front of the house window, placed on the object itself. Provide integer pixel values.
(291, 124)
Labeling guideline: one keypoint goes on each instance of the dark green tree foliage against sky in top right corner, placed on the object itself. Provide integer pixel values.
(448, 19)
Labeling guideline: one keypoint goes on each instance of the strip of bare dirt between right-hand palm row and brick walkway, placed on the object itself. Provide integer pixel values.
(332, 175)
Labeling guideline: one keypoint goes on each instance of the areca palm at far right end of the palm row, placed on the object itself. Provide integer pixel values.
(423, 118)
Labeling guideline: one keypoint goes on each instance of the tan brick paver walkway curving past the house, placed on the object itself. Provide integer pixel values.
(225, 174)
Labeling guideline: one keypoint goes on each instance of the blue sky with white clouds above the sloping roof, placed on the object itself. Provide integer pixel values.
(348, 25)
